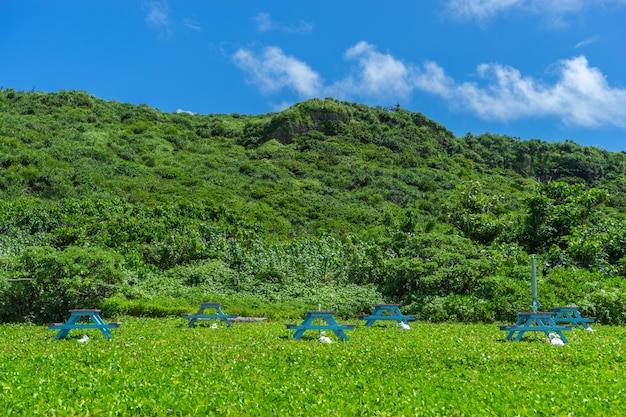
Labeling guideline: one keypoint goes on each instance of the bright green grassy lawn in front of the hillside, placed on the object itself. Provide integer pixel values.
(159, 367)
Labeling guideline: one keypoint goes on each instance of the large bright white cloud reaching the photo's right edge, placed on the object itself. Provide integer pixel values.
(580, 95)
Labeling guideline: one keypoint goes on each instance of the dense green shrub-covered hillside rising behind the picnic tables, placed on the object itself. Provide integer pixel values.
(137, 211)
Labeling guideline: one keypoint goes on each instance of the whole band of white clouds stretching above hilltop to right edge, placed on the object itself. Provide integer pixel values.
(573, 92)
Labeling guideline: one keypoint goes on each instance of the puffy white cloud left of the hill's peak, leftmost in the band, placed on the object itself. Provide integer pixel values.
(273, 71)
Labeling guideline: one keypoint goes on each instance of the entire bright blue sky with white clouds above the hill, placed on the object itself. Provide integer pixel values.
(548, 69)
